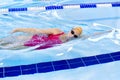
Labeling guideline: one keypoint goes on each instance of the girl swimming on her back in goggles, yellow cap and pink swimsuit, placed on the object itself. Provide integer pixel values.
(50, 38)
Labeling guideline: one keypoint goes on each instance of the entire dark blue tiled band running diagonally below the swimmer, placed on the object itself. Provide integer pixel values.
(58, 65)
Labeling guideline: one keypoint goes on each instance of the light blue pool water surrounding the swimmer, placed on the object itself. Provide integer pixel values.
(91, 20)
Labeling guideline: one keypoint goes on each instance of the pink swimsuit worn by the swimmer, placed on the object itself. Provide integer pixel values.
(44, 41)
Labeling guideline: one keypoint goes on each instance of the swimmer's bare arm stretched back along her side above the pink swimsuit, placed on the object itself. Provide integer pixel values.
(37, 31)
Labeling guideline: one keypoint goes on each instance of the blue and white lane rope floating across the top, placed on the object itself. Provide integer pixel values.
(65, 6)
